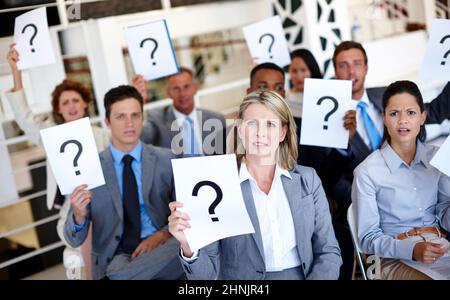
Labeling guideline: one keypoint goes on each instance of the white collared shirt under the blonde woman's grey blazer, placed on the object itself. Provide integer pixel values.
(275, 221)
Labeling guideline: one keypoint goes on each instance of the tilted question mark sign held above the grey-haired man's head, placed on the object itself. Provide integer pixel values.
(151, 49)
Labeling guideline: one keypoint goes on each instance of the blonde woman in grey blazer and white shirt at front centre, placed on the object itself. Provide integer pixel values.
(293, 238)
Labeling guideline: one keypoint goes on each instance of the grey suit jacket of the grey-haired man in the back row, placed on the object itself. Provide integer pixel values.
(160, 129)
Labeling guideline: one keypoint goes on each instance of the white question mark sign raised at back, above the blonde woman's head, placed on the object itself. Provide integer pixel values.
(267, 42)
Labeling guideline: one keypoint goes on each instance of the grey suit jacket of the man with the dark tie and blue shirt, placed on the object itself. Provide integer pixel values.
(106, 209)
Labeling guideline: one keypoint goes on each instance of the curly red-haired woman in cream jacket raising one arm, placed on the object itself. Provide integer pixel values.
(70, 100)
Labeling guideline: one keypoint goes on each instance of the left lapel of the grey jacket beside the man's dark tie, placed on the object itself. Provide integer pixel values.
(111, 181)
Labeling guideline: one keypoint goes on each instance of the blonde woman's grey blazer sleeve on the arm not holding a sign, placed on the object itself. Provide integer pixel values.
(327, 257)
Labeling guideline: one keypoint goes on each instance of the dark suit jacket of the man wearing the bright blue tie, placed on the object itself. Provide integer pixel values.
(339, 169)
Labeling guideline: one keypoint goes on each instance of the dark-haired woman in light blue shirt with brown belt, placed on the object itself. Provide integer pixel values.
(400, 201)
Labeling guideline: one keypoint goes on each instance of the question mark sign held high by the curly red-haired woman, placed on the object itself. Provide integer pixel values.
(32, 38)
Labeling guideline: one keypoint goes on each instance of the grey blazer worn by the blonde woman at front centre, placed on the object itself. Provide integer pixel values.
(242, 257)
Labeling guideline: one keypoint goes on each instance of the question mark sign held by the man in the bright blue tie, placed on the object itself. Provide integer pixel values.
(325, 103)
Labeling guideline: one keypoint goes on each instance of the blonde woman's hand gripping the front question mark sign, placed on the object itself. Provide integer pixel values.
(178, 222)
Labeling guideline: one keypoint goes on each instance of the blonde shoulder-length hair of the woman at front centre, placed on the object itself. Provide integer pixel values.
(287, 150)
